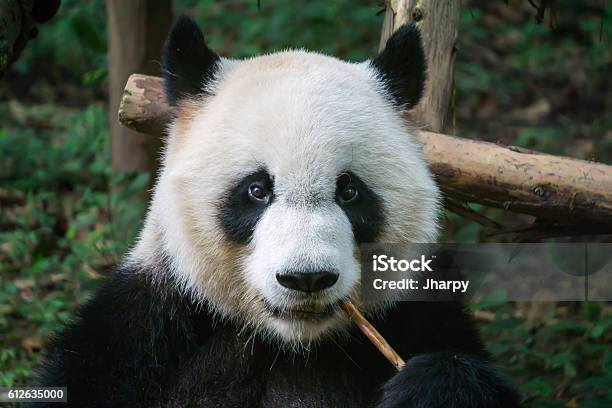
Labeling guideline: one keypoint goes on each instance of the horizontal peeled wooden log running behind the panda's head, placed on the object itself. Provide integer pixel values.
(556, 188)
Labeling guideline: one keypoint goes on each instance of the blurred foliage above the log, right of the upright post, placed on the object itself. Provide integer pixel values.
(526, 84)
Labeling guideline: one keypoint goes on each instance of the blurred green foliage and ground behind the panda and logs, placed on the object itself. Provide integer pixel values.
(66, 217)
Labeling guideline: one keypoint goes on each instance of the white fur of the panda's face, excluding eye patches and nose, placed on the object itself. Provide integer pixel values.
(306, 118)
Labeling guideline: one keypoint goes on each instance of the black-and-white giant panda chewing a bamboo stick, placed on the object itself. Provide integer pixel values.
(275, 170)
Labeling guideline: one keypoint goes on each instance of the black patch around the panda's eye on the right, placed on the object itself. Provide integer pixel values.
(364, 210)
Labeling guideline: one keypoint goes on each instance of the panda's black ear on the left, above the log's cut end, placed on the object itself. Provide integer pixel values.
(187, 63)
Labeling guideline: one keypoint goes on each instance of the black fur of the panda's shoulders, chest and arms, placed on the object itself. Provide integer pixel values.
(141, 344)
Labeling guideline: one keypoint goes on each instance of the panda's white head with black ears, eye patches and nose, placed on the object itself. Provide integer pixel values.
(276, 169)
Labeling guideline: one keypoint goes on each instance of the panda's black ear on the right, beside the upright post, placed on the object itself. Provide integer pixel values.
(402, 66)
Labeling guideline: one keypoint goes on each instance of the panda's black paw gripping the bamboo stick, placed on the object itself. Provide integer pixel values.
(451, 381)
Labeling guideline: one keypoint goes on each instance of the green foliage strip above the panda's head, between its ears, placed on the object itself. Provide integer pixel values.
(344, 28)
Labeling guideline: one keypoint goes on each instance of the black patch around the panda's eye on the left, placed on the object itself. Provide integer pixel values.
(238, 212)
